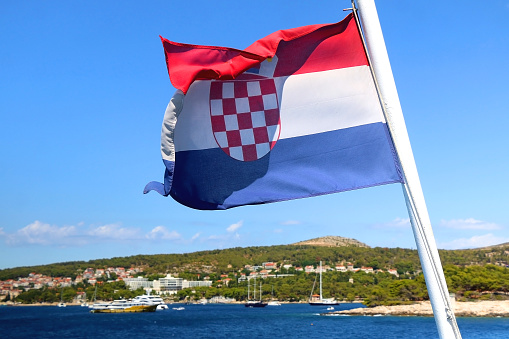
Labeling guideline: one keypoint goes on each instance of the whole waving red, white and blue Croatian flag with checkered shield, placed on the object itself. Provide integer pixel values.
(294, 115)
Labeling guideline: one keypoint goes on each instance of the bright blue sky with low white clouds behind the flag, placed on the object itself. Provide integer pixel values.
(83, 91)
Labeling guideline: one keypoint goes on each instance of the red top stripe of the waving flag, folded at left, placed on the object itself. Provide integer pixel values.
(300, 50)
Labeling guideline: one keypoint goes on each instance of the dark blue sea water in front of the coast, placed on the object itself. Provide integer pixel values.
(228, 321)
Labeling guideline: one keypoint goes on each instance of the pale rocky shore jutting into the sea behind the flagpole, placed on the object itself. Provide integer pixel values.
(461, 309)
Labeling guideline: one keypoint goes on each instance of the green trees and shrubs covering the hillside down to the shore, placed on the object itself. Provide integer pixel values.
(471, 274)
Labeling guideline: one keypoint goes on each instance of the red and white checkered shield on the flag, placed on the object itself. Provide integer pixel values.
(245, 117)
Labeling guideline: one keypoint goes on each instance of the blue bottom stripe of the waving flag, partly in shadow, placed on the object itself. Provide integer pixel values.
(298, 167)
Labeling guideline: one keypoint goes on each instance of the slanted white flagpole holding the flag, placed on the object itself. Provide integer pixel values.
(412, 190)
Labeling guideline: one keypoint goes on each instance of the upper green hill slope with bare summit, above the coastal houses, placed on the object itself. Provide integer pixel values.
(299, 254)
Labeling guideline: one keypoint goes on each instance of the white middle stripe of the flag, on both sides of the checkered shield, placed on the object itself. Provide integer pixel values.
(337, 99)
